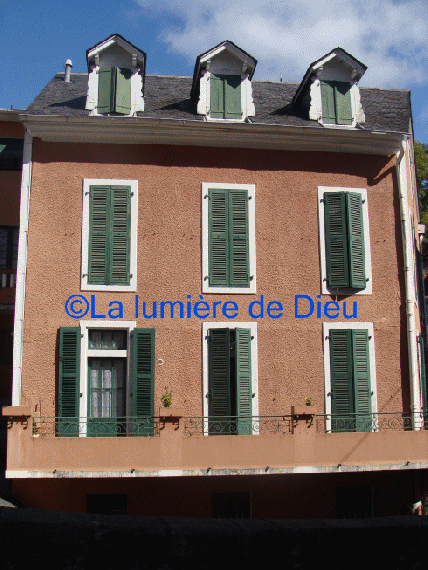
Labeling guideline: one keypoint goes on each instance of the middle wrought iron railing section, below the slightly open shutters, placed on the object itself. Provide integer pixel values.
(237, 425)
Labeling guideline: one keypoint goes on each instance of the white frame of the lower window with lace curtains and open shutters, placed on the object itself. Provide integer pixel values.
(86, 353)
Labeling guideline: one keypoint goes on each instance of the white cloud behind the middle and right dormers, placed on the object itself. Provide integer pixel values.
(389, 36)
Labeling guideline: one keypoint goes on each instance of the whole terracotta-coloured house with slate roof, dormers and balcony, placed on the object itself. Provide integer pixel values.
(244, 250)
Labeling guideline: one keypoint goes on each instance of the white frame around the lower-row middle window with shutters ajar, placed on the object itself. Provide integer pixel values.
(254, 364)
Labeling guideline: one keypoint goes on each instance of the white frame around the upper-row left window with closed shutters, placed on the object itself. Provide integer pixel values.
(85, 286)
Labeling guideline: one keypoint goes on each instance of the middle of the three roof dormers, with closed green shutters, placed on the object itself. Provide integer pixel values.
(221, 84)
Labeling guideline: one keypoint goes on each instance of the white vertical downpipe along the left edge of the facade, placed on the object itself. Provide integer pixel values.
(21, 270)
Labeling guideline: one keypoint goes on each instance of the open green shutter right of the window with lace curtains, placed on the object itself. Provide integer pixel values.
(143, 379)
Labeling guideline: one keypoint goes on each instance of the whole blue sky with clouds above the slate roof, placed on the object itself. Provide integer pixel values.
(389, 36)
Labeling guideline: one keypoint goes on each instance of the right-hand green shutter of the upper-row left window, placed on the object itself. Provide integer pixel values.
(119, 230)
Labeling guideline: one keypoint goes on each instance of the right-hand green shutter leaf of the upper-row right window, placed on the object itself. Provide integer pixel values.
(357, 276)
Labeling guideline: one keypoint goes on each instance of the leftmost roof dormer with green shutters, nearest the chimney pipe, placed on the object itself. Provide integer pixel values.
(116, 77)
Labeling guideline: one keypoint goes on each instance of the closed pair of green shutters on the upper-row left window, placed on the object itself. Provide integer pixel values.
(109, 235)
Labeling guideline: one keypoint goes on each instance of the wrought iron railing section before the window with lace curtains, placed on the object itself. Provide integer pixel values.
(95, 427)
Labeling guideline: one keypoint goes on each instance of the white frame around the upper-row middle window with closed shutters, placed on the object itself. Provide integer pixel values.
(206, 288)
